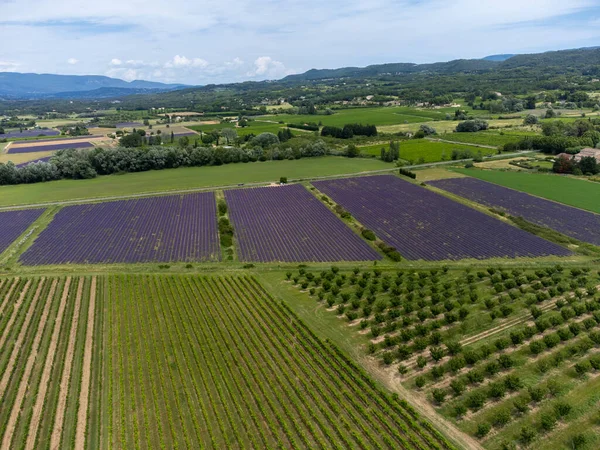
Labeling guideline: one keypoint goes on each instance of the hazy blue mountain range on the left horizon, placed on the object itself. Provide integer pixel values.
(32, 85)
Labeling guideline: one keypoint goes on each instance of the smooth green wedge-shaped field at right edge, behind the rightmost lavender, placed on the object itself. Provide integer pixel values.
(568, 190)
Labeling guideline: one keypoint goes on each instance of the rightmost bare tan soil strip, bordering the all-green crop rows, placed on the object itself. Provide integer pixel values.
(87, 368)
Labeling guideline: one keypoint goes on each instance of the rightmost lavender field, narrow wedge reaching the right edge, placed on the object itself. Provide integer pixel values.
(573, 222)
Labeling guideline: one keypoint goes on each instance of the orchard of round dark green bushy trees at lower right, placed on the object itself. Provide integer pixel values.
(511, 357)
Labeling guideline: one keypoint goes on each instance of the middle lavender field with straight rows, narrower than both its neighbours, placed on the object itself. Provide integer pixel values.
(287, 223)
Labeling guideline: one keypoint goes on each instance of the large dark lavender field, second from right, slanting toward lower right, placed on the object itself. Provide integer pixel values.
(424, 225)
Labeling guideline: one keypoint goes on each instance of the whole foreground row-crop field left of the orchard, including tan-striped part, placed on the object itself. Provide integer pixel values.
(181, 362)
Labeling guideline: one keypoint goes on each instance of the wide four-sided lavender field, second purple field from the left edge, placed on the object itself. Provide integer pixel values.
(161, 229)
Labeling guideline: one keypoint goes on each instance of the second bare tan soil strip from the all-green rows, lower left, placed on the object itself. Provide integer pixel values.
(66, 375)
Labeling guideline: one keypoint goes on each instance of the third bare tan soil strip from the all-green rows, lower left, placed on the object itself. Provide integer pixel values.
(44, 381)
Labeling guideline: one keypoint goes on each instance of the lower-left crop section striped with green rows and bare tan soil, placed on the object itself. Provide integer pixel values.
(46, 360)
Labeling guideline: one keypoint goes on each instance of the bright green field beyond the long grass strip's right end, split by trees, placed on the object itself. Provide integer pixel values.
(424, 150)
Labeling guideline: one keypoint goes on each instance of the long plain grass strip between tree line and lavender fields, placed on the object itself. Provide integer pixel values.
(184, 178)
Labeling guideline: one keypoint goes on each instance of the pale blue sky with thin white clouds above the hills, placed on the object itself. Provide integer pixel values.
(203, 42)
